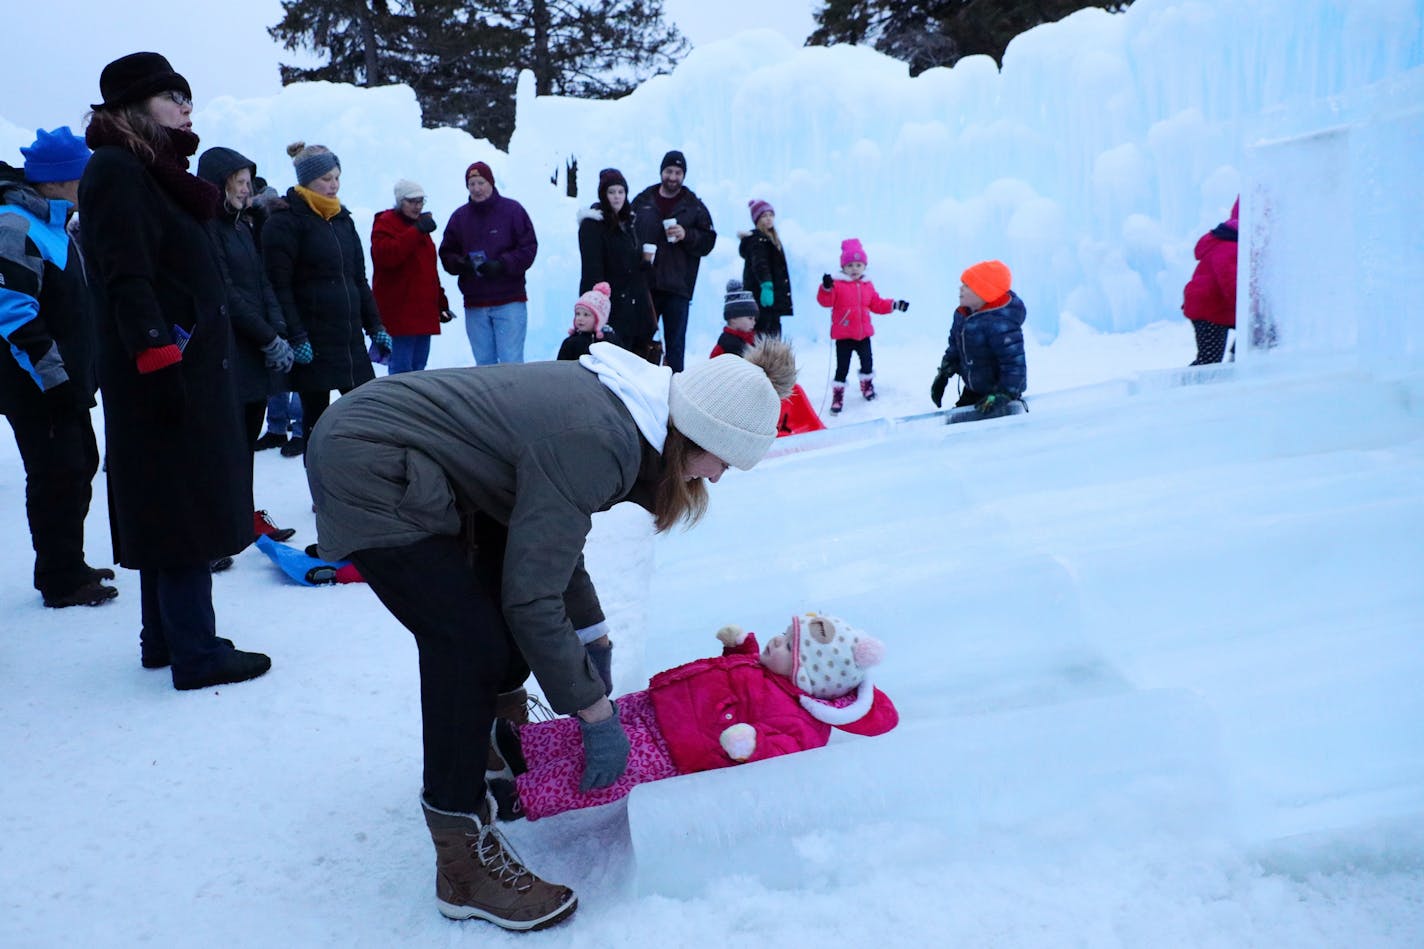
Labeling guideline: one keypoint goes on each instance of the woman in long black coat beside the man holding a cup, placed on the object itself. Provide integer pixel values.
(610, 253)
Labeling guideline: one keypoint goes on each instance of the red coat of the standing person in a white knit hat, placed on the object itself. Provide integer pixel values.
(404, 277)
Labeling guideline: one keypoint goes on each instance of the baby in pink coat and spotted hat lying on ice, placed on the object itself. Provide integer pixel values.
(718, 712)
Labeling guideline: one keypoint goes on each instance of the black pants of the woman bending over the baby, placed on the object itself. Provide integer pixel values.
(468, 658)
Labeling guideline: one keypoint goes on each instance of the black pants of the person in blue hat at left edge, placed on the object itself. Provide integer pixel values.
(61, 460)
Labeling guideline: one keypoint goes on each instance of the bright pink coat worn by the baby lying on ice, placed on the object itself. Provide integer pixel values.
(696, 703)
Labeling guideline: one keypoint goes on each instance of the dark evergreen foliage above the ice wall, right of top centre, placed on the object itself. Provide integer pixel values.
(929, 33)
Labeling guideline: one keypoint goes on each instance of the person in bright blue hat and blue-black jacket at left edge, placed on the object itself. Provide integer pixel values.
(48, 375)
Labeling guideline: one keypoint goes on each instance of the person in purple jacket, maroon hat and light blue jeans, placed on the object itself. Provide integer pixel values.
(489, 244)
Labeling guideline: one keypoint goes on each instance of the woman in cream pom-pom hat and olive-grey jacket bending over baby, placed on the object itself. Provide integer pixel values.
(465, 498)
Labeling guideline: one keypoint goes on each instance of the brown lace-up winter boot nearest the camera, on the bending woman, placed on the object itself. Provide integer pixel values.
(479, 876)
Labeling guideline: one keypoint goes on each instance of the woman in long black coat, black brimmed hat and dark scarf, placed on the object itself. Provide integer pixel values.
(180, 489)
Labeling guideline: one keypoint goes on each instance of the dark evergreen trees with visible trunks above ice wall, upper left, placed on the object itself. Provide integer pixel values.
(464, 58)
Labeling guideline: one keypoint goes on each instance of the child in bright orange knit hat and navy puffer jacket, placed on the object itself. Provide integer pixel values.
(986, 347)
